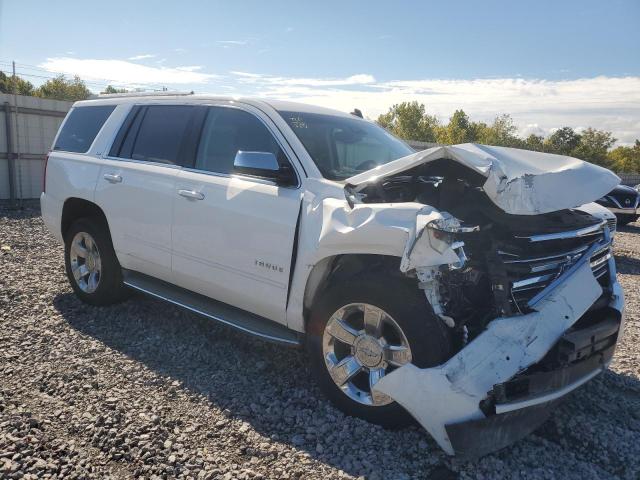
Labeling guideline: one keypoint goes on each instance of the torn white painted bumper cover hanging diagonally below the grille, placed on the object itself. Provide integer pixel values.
(451, 393)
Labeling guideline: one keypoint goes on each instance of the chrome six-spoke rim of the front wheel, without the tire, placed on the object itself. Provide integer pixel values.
(362, 343)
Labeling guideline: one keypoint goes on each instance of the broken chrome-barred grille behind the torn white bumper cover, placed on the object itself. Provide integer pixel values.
(535, 261)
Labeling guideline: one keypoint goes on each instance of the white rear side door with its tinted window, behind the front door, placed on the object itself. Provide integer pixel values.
(136, 185)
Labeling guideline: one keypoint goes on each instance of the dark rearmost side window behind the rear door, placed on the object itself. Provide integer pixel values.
(81, 127)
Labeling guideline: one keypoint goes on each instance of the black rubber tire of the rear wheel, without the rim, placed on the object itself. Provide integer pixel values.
(110, 287)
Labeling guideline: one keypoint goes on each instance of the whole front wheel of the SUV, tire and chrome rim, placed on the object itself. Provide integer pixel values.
(361, 330)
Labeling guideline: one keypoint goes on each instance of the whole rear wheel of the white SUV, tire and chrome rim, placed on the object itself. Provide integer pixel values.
(92, 267)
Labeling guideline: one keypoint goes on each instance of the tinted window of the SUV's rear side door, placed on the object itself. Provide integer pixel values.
(157, 133)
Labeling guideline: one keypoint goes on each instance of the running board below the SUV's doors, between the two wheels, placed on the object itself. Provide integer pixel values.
(218, 311)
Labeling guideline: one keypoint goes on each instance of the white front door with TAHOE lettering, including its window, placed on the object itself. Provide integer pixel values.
(233, 234)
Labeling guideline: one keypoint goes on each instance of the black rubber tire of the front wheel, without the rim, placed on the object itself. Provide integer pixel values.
(427, 335)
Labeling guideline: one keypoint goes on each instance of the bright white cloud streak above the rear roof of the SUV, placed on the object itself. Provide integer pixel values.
(122, 72)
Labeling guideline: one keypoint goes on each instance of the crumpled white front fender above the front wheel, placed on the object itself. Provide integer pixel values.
(329, 227)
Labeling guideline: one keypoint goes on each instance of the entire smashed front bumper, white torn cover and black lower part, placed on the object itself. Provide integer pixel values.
(471, 404)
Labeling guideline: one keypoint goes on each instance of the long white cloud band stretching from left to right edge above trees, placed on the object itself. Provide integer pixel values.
(537, 106)
